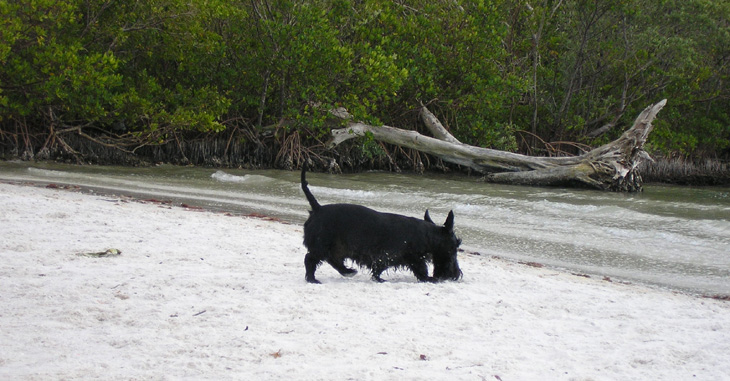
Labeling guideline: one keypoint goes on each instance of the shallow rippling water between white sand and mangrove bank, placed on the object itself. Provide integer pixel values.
(676, 237)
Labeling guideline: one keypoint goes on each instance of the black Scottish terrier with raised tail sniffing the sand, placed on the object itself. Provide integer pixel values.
(377, 241)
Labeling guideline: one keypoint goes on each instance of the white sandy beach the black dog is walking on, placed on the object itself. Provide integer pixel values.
(201, 295)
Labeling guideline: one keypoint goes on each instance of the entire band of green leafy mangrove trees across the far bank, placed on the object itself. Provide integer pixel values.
(487, 68)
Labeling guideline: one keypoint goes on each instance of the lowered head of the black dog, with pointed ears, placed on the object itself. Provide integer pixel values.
(445, 264)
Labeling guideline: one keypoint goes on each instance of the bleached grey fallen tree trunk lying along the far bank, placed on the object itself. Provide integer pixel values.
(612, 166)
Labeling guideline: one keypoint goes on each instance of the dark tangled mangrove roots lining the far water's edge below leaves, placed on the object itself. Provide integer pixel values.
(242, 149)
